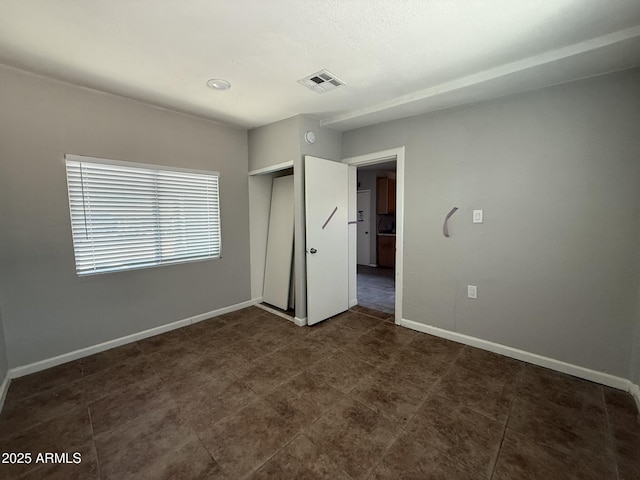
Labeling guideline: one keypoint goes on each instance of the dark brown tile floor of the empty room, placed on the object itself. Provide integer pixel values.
(248, 394)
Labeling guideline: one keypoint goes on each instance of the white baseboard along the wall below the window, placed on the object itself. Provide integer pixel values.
(17, 372)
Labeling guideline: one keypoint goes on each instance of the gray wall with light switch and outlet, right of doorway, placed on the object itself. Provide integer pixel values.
(556, 259)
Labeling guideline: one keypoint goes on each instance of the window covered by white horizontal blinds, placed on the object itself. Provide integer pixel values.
(127, 215)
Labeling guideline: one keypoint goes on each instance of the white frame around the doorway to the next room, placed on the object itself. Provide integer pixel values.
(369, 159)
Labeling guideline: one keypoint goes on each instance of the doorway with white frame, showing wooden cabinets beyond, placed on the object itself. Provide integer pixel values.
(375, 278)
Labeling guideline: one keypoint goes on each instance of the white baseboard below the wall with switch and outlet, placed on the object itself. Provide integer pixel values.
(535, 359)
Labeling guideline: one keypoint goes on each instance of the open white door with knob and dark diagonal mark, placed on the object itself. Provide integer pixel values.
(327, 238)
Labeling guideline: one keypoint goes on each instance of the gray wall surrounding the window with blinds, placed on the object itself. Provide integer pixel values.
(47, 310)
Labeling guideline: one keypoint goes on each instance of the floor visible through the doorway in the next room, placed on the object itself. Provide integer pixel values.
(376, 288)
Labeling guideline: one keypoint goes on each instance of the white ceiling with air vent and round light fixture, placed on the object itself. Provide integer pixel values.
(397, 57)
